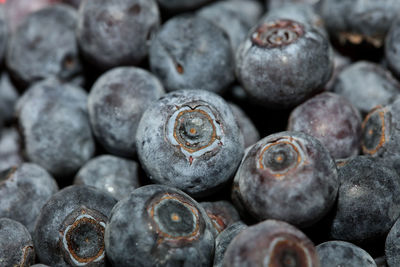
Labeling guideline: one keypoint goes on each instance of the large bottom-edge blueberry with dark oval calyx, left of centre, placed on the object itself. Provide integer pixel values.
(157, 225)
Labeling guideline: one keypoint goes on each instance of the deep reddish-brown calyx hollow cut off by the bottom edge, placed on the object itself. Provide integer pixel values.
(284, 251)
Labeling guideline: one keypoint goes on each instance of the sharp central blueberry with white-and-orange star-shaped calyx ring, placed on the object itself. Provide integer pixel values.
(189, 139)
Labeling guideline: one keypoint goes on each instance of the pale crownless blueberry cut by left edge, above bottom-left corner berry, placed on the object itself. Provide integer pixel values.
(24, 190)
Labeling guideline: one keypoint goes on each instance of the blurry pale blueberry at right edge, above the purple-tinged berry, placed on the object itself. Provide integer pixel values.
(367, 85)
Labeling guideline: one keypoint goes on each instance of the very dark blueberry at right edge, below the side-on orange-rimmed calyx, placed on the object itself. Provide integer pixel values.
(368, 201)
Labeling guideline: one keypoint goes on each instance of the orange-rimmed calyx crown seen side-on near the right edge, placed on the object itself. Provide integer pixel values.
(373, 131)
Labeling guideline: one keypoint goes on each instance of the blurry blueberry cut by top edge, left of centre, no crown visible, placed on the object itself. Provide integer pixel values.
(115, 33)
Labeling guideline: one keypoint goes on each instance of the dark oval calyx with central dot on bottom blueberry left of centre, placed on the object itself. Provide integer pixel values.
(174, 218)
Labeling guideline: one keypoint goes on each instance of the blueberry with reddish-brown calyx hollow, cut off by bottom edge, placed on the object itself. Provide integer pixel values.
(271, 243)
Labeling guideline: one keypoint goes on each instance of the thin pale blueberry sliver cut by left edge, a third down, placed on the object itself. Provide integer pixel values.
(8, 98)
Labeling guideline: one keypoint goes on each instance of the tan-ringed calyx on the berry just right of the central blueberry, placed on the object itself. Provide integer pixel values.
(280, 157)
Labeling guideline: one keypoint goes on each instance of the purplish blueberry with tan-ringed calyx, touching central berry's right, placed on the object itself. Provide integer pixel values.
(287, 176)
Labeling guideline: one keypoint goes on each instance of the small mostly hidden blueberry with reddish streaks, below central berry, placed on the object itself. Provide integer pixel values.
(221, 213)
